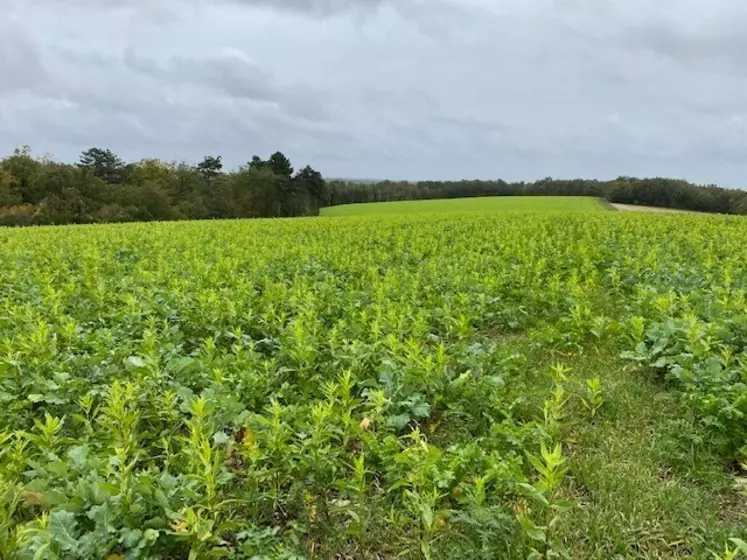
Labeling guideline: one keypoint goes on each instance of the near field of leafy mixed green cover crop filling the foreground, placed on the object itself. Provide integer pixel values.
(472, 386)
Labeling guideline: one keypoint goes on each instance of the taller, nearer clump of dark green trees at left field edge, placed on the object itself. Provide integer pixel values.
(103, 188)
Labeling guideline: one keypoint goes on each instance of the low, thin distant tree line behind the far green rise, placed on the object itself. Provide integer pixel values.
(669, 193)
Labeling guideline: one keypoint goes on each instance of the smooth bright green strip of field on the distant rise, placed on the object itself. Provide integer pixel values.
(465, 205)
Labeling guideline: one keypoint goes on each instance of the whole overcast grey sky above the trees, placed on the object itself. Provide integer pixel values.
(408, 89)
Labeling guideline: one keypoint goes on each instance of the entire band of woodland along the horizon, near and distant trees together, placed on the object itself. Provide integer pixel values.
(102, 188)
